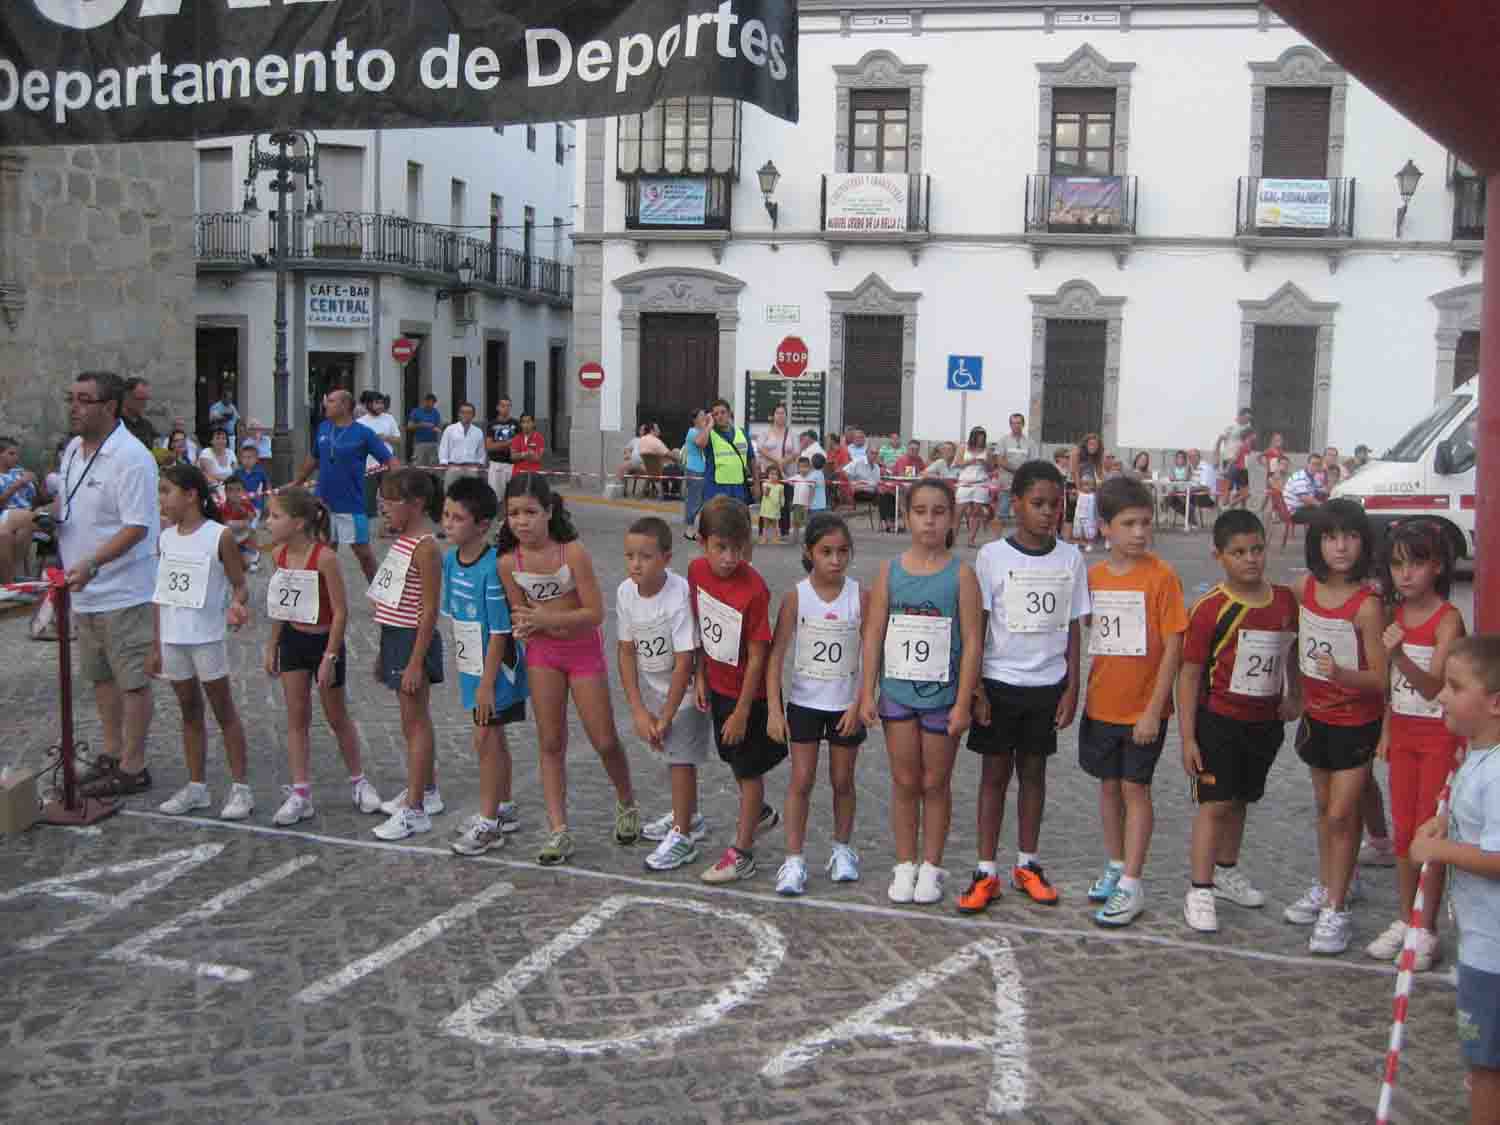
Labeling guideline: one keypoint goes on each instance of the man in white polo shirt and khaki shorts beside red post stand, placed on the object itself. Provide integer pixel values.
(107, 524)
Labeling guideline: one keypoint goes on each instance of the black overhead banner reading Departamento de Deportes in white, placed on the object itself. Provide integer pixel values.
(80, 71)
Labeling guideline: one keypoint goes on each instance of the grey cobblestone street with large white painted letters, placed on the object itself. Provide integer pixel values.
(256, 974)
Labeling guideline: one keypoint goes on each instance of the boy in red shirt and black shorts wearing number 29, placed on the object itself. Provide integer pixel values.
(733, 610)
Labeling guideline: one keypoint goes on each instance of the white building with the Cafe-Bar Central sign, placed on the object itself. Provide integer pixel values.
(403, 212)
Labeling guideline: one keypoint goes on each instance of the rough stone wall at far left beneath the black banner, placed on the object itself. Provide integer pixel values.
(97, 271)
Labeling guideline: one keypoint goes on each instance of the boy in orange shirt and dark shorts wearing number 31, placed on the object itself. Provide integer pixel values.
(1136, 641)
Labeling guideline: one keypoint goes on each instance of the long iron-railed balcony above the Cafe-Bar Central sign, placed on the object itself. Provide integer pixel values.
(227, 241)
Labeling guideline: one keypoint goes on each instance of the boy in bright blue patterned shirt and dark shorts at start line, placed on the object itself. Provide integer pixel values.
(493, 673)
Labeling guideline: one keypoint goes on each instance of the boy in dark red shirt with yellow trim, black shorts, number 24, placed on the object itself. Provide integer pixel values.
(1235, 692)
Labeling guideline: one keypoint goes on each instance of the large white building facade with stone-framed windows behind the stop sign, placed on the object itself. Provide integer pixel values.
(1138, 218)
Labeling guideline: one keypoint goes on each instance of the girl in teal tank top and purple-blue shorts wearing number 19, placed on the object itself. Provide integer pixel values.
(922, 668)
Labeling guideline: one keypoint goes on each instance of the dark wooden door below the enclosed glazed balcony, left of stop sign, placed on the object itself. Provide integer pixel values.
(679, 373)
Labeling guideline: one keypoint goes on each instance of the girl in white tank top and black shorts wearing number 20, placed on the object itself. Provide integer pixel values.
(820, 625)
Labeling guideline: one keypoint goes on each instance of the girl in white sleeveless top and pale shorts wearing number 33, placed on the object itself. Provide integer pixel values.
(199, 568)
